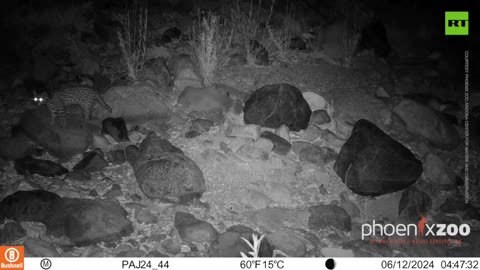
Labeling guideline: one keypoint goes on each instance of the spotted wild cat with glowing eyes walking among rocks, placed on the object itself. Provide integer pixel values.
(84, 96)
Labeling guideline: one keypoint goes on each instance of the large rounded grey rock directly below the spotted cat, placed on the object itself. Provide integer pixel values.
(60, 142)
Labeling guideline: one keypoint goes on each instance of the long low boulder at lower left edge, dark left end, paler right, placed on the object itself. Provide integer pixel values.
(84, 221)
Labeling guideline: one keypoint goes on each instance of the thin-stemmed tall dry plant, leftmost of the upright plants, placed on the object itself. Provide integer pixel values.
(133, 37)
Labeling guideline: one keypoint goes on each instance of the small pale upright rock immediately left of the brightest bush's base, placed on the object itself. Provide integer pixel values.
(184, 72)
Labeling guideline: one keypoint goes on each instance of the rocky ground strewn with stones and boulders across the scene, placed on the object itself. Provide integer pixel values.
(308, 189)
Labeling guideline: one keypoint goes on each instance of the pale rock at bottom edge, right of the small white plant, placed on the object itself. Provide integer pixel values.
(288, 243)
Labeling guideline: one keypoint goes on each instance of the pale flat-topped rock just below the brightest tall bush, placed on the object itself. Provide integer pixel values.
(204, 99)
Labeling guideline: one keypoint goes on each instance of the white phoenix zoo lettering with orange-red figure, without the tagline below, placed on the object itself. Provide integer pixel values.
(421, 229)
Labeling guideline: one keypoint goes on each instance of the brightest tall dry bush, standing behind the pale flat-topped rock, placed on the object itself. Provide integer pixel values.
(211, 39)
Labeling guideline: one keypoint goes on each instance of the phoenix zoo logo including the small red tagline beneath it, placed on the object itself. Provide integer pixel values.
(419, 233)
